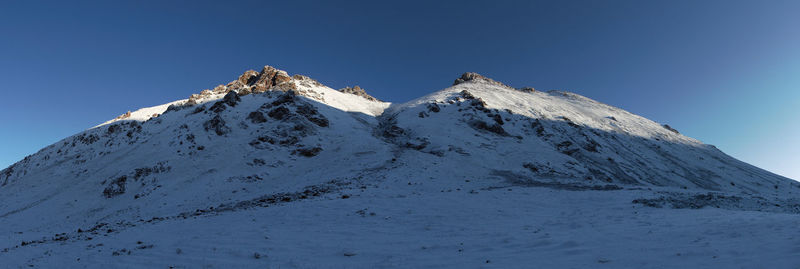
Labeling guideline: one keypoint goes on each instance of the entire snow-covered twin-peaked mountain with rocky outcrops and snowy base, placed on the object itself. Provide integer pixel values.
(289, 151)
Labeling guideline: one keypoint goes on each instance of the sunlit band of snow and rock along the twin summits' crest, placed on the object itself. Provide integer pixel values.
(271, 79)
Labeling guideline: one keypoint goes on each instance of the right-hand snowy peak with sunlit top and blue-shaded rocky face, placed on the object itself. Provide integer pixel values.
(559, 134)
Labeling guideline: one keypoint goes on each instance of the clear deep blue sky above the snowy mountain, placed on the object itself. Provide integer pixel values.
(725, 72)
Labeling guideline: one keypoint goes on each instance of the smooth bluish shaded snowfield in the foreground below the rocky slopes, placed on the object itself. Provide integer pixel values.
(412, 226)
